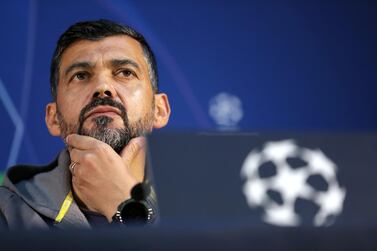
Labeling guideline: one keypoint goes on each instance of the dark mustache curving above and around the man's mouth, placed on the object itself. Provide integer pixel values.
(102, 102)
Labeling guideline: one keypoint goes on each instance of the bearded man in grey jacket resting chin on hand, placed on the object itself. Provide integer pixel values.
(105, 99)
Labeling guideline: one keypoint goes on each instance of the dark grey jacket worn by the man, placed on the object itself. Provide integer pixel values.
(31, 197)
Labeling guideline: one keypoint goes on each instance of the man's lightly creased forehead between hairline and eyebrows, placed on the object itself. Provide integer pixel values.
(113, 47)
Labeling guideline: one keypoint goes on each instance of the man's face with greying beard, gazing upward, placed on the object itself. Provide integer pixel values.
(105, 91)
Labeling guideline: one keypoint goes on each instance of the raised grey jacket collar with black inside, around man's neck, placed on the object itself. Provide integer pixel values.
(46, 189)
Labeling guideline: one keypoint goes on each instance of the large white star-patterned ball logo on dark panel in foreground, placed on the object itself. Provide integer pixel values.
(281, 175)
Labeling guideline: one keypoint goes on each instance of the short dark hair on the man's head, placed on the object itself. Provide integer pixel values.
(97, 30)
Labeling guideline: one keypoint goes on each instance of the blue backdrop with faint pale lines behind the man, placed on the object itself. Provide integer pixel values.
(284, 65)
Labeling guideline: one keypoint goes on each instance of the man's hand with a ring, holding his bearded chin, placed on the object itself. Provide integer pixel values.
(102, 179)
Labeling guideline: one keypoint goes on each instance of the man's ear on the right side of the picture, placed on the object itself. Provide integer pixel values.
(162, 110)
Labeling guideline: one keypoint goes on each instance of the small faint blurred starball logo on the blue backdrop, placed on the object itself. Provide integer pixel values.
(226, 110)
